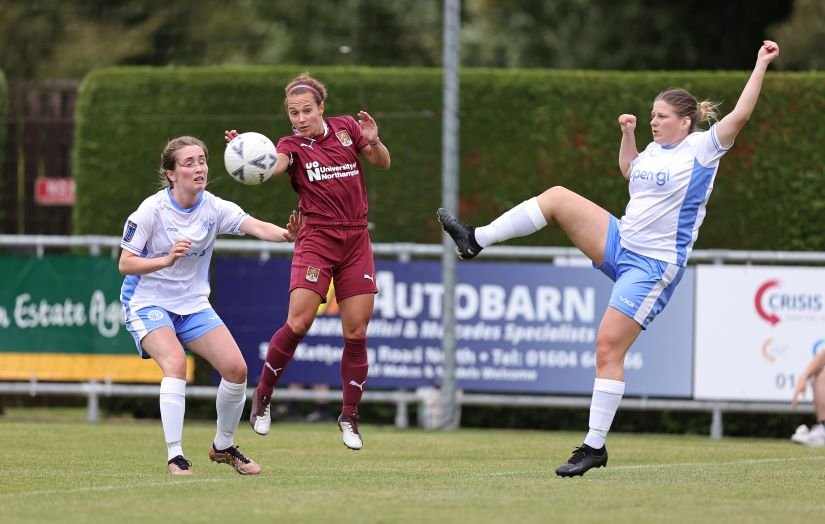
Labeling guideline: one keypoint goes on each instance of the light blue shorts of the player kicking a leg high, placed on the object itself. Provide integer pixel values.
(643, 285)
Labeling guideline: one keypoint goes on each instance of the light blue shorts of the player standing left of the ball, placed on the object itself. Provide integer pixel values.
(186, 327)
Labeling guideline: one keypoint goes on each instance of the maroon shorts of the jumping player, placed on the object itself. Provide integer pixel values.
(342, 253)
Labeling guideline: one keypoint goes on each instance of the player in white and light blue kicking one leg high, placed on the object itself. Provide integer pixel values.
(645, 252)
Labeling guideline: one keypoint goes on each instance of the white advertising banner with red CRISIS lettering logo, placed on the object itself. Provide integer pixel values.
(756, 330)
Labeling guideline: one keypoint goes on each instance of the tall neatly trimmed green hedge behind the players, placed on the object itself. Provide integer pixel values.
(521, 132)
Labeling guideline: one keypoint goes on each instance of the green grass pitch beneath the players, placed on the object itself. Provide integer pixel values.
(66, 470)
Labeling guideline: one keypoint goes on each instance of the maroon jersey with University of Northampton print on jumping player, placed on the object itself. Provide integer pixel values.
(326, 171)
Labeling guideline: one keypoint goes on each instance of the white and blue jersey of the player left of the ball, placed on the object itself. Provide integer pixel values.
(150, 231)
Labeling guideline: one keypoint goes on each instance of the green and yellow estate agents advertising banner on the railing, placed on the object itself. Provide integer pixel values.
(61, 319)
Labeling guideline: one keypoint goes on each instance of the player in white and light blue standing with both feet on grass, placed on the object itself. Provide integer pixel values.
(167, 245)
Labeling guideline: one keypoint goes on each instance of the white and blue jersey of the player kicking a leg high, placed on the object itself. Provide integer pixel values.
(669, 189)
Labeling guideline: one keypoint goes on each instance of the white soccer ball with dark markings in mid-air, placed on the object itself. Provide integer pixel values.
(250, 158)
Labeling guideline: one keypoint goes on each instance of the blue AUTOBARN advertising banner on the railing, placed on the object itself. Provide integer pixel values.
(520, 328)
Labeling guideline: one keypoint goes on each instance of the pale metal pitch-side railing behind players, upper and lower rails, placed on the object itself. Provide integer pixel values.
(97, 244)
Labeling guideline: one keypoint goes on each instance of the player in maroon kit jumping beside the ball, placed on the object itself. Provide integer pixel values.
(323, 159)
